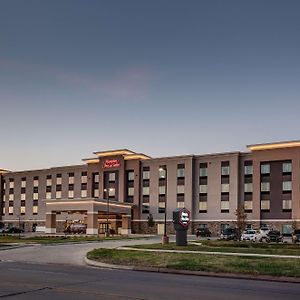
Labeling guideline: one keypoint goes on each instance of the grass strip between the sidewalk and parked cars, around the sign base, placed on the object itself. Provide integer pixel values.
(231, 246)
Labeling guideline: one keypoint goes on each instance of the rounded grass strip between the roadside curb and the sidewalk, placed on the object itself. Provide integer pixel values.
(198, 262)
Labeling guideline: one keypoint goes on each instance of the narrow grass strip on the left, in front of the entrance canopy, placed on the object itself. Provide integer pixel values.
(7, 239)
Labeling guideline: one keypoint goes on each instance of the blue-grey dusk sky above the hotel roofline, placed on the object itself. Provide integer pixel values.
(159, 77)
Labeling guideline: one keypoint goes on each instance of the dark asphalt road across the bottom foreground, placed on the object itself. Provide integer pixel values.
(20, 280)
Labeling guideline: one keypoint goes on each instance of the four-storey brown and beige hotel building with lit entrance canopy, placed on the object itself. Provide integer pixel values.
(123, 188)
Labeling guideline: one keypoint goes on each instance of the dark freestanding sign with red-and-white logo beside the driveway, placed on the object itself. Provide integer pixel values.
(181, 220)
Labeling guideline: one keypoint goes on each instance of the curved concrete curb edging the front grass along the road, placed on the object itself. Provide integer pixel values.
(195, 273)
